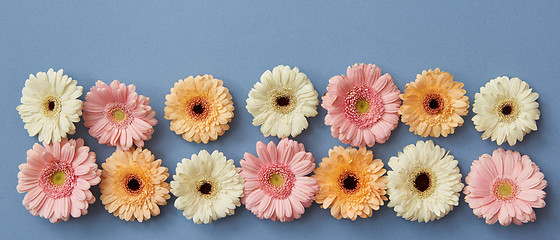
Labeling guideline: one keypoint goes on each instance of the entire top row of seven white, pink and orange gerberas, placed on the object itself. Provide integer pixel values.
(363, 107)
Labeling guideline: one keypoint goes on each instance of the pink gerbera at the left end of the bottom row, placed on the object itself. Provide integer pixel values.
(57, 178)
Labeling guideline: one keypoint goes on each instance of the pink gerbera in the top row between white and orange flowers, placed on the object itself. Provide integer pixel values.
(362, 108)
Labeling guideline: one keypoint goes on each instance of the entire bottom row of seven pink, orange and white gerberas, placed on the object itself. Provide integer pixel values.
(423, 184)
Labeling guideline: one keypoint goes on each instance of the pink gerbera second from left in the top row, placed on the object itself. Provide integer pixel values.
(117, 116)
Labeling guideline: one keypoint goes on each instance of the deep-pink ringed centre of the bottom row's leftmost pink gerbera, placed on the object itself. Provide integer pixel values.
(57, 180)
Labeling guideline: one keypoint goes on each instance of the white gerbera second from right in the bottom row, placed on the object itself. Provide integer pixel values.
(424, 182)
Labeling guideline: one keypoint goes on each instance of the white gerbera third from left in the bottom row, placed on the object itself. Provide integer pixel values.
(208, 187)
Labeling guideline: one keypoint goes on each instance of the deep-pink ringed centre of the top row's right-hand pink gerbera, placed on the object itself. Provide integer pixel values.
(363, 106)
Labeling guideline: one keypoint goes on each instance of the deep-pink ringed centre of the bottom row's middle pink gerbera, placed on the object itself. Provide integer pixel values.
(277, 180)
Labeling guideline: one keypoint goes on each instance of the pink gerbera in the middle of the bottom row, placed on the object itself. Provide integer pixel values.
(276, 186)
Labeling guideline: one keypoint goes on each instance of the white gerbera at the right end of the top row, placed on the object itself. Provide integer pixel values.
(506, 109)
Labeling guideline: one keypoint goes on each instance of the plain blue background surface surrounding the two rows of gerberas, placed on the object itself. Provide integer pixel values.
(154, 45)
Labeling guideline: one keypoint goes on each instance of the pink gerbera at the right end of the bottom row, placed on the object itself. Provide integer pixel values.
(505, 187)
